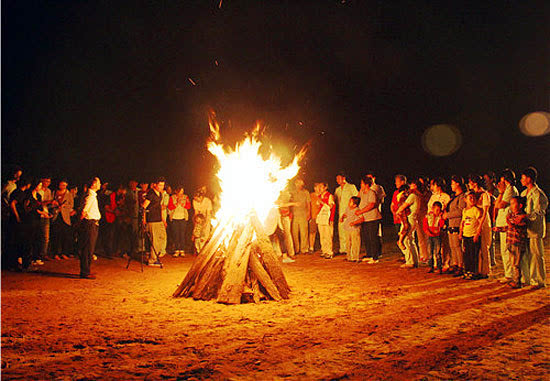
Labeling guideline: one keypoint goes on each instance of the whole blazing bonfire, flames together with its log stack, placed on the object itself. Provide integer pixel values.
(238, 263)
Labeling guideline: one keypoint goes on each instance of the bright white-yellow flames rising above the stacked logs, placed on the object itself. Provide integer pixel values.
(250, 182)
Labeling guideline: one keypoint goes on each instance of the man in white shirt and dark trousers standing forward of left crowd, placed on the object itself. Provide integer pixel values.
(89, 217)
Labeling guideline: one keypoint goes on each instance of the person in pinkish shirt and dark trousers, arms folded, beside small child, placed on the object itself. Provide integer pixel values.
(368, 209)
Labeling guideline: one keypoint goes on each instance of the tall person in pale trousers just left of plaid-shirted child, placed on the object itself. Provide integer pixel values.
(506, 190)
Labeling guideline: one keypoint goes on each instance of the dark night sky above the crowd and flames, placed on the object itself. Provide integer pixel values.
(106, 88)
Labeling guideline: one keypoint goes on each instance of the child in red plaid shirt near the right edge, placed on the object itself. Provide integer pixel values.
(516, 237)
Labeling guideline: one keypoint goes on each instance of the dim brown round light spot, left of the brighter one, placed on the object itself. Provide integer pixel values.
(441, 140)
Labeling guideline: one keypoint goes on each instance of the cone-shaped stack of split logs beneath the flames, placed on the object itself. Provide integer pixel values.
(243, 270)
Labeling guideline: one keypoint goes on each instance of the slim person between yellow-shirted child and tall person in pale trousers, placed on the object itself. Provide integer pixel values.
(484, 202)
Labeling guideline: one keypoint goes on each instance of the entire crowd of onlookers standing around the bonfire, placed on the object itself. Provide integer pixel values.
(453, 234)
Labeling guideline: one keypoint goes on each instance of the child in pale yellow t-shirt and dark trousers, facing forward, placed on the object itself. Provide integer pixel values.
(469, 233)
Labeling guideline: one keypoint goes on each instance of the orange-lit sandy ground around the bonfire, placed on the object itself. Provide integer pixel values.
(343, 321)
